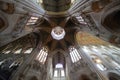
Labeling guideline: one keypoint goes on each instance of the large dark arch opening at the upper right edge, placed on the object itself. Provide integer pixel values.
(111, 18)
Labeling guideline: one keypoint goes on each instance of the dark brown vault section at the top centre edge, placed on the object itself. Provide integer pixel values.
(56, 5)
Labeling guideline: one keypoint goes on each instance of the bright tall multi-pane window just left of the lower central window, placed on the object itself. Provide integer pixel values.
(41, 57)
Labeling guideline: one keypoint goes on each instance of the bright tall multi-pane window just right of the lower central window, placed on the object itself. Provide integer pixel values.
(75, 56)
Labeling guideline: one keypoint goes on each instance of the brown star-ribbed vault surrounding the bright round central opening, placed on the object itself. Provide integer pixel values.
(53, 44)
